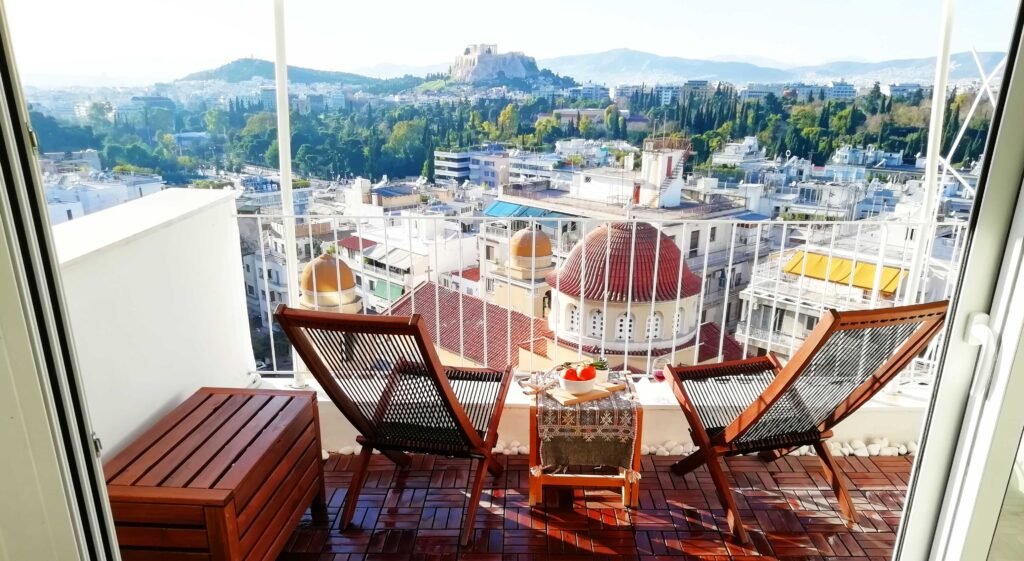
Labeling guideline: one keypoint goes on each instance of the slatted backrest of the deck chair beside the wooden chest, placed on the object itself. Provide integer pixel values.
(385, 375)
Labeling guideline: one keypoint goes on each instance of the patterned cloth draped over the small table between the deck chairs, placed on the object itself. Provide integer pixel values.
(603, 433)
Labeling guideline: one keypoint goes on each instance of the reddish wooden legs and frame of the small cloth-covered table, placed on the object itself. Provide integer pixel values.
(539, 480)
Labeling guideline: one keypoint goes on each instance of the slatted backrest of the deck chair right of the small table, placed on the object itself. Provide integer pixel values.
(848, 358)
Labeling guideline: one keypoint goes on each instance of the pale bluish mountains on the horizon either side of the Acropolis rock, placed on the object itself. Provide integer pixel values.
(632, 67)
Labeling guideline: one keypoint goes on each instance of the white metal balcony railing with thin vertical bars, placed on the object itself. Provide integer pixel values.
(643, 334)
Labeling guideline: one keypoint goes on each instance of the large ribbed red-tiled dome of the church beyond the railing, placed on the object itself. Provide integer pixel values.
(613, 245)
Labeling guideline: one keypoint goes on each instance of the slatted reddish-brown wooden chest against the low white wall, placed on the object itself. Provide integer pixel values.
(225, 477)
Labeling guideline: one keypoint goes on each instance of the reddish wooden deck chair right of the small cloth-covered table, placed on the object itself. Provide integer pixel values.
(758, 405)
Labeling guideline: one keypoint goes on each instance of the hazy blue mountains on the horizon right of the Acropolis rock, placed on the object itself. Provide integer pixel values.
(631, 67)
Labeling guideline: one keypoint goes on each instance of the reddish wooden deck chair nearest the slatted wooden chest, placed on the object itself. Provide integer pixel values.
(385, 375)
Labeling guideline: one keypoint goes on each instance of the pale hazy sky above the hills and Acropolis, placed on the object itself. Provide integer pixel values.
(60, 42)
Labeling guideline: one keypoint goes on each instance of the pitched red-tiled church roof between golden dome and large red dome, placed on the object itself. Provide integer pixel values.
(470, 329)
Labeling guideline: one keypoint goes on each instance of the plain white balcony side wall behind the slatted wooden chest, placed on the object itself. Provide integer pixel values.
(156, 298)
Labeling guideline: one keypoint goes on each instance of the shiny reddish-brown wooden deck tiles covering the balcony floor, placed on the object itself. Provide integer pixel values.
(788, 507)
